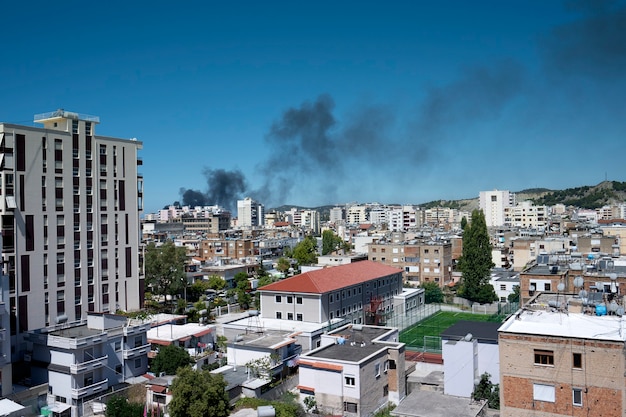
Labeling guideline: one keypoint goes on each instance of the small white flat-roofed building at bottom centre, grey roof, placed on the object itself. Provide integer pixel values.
(356, 371)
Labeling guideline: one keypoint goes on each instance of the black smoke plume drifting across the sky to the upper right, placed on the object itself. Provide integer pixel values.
(318, 153)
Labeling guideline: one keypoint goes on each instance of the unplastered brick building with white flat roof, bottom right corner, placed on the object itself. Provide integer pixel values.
(558, 358)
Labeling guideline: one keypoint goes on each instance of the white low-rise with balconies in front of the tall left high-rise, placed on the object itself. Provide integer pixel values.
(82, 360)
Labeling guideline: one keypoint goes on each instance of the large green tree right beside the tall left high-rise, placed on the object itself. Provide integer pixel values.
(165, 268)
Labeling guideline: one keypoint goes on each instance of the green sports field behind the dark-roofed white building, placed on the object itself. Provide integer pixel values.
(425, 334)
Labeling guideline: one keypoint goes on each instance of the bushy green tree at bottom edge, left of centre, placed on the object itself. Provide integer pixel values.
(198, 394)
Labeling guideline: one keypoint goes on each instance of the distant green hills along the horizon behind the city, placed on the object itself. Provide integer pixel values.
(588, 197)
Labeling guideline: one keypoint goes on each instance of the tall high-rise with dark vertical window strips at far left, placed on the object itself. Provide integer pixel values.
(69, 216)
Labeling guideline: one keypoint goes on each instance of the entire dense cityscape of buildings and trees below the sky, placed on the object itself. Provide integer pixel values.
(502, 307)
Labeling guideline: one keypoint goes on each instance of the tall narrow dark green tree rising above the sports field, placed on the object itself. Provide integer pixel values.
(475, 262)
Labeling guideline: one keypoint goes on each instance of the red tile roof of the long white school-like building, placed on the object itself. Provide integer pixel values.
(330, 279)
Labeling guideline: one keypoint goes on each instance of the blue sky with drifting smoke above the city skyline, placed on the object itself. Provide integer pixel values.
(313, 103)
